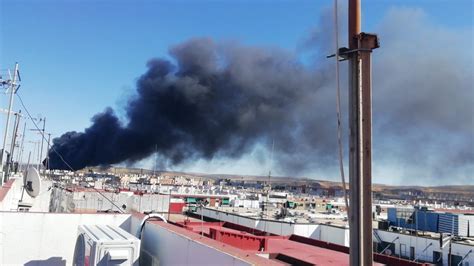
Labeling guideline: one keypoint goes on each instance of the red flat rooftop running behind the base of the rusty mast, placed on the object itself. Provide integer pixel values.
(294, 249)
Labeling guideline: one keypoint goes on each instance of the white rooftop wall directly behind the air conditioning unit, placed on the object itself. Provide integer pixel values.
(28, 238)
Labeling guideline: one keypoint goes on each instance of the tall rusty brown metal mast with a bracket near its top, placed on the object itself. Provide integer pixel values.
(360, 138)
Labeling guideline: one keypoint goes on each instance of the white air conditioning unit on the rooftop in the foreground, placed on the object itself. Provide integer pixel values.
(105, 245)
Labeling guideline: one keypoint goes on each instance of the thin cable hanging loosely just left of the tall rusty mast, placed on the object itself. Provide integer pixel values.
(338, 108)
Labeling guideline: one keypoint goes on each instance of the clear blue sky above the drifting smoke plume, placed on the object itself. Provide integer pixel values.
(78, 57)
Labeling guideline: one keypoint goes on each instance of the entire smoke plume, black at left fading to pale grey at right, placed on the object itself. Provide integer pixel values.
(221, 100)
